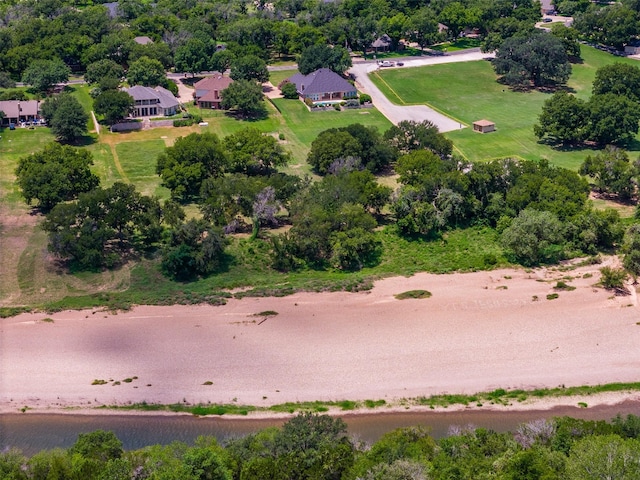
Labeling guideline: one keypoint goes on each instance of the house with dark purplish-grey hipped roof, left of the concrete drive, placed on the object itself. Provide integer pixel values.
(323, 85)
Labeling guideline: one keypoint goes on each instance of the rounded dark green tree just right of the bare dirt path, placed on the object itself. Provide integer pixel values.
(185, 165)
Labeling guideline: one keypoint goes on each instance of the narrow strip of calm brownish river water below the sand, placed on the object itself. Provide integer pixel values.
(32, 432)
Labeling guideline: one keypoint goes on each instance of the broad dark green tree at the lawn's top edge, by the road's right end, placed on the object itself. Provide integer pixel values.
(538, 59)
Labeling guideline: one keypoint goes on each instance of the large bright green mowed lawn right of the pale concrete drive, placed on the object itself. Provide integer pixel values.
(468, 91)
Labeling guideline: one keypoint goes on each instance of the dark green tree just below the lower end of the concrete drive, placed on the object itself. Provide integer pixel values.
(410, 135)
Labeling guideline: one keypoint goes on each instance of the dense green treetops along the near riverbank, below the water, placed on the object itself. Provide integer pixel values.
(318, 447)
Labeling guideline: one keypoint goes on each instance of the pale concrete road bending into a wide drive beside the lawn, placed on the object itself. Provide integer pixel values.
(397, 113)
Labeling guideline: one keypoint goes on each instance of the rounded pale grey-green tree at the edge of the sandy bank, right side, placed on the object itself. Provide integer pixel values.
(534, 237)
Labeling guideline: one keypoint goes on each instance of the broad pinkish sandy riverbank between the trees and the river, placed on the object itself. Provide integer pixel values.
(478, 332)
